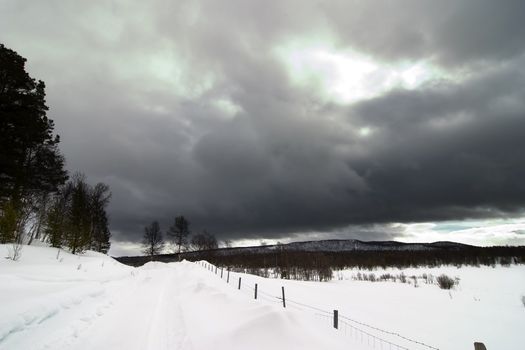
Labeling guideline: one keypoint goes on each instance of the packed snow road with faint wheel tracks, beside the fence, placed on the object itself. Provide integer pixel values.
(146, 313)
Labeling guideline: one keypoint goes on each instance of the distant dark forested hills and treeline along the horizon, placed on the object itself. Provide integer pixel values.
(318, 266)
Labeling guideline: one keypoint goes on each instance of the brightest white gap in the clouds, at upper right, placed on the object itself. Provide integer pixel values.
(346, 76)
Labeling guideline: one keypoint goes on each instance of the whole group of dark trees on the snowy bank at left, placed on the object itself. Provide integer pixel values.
(36, 199)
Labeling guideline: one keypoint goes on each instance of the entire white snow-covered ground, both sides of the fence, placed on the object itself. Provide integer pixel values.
(93, 302)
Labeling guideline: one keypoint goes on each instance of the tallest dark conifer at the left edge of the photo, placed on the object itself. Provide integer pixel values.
(30, 162)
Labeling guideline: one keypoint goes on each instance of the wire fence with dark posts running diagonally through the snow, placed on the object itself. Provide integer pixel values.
(359, 331)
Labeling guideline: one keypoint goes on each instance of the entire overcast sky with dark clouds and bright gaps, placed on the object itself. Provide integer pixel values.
(289, 120)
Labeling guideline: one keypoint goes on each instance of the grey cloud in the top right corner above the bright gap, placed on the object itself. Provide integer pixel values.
(452, 32)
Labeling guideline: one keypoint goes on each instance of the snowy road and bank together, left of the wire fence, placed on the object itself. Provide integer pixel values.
(93, 302)
